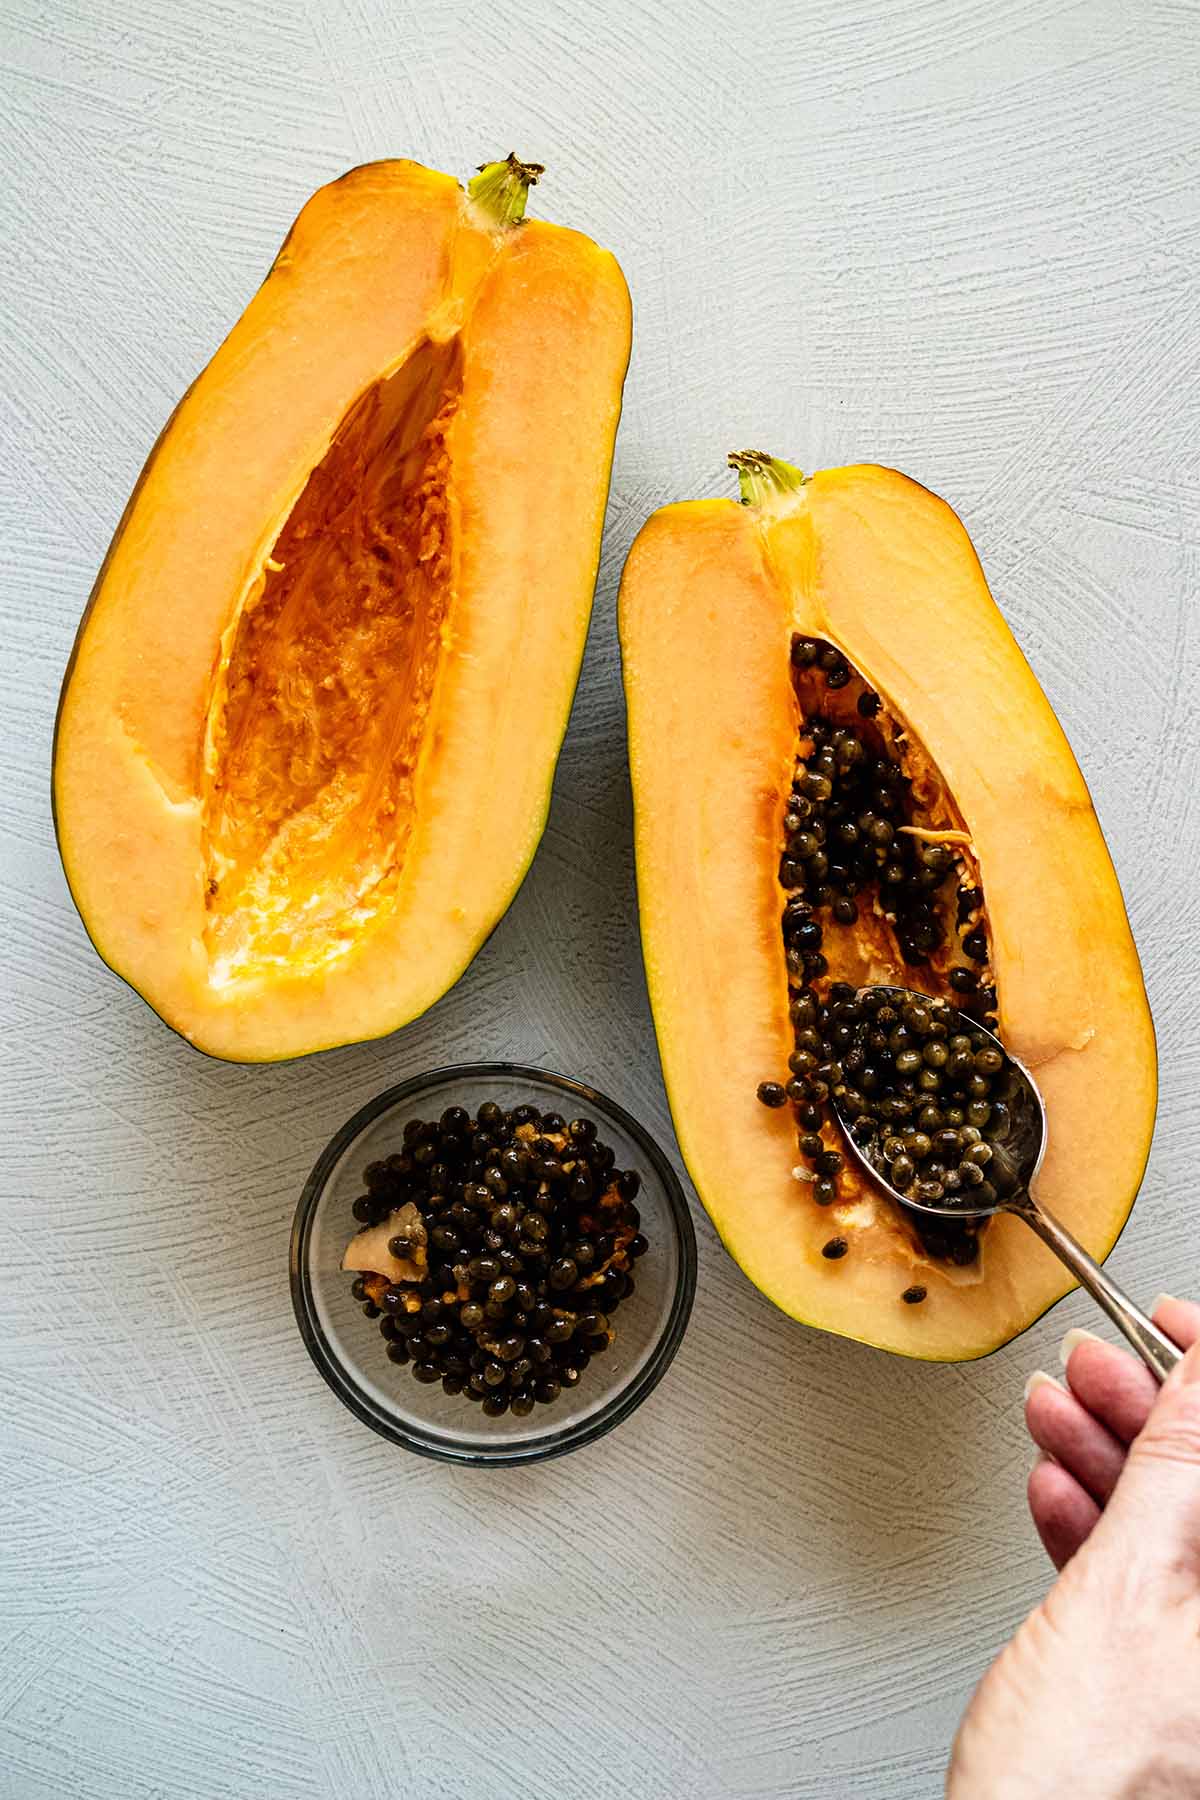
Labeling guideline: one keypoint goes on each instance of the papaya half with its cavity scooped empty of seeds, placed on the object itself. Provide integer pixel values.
(310, 724)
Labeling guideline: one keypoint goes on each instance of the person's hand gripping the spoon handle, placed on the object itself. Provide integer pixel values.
(1098, 1695)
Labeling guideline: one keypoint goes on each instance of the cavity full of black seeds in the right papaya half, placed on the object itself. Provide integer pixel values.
(881, 886)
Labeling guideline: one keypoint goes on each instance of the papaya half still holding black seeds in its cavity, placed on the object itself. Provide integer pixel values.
(846, 775)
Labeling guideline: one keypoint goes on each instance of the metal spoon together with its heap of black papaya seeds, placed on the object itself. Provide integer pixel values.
(985, 1165)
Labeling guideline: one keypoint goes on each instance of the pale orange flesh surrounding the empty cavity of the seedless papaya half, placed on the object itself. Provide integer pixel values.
(384, 271)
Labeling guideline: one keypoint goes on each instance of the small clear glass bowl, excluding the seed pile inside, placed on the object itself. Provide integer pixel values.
(348, 1347)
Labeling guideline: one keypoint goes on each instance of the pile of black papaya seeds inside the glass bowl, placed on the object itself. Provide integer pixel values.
(497, 1250)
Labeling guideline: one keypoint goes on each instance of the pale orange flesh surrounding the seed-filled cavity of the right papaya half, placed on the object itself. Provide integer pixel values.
(881, 568)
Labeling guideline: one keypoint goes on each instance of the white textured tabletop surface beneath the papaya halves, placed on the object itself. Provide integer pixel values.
(953, 235)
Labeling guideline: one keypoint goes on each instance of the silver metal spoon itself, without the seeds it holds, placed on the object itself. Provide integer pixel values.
(1026, 1147)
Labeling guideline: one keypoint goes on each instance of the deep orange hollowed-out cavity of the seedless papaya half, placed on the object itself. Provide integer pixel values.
(319, 715)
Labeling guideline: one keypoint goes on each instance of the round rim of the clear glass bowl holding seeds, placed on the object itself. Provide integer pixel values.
(337, 1376)
